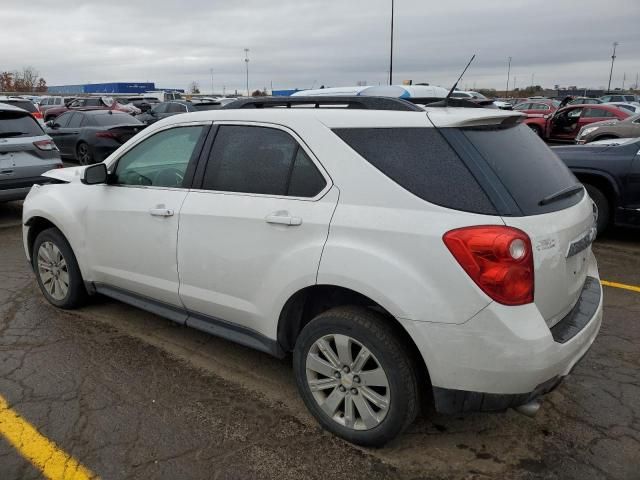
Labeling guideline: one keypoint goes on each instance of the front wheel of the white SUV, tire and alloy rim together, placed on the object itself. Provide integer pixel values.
(57, 270)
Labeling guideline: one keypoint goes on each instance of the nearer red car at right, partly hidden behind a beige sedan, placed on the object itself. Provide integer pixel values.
(565, 123)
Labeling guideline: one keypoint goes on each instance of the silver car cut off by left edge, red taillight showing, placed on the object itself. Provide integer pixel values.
(26, 152)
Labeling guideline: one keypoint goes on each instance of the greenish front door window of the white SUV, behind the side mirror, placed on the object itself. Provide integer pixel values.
(161, 160)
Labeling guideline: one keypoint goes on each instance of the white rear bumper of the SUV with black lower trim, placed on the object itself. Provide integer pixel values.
(506, 356)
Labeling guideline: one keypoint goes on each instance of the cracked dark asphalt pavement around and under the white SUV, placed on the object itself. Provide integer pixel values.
(131, 395)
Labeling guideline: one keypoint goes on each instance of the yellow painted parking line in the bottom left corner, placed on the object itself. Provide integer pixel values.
(41, 452)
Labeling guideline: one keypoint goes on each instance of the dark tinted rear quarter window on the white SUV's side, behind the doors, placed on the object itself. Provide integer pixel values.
(421, 161)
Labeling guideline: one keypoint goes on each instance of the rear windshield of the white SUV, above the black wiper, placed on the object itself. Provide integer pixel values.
(522, 163)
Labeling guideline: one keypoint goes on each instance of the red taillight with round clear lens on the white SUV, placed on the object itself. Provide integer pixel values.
(498, 259)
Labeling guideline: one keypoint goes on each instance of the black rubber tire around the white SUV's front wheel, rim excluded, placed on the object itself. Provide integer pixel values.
(76, 293)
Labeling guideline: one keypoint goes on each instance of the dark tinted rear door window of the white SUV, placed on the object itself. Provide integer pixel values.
(260, 160)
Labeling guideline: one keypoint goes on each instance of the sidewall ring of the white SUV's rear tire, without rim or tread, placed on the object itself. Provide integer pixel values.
(395, 420)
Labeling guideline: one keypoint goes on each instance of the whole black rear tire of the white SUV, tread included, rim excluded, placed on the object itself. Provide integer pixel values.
(375, 333)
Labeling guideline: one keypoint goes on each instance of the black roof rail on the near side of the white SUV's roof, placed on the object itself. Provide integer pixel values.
(355, 102)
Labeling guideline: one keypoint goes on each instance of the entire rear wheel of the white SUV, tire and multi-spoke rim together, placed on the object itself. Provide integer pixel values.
(355, 376)
